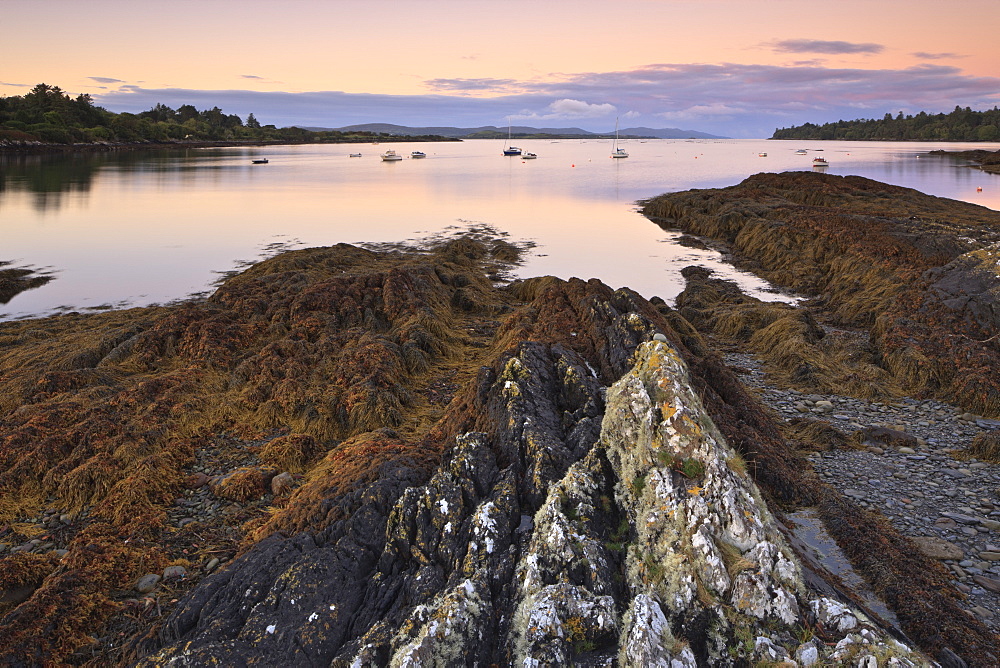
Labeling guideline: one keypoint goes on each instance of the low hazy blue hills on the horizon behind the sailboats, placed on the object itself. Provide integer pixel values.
(519, 131)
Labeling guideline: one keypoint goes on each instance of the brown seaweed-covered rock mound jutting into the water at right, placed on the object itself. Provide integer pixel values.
(918, 272)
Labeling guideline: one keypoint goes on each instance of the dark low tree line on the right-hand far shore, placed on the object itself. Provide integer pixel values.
(958, 125)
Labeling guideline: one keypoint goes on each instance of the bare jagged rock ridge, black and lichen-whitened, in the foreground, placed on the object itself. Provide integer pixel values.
(466, 578)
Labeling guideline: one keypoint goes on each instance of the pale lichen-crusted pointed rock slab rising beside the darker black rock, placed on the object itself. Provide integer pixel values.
(708, 564)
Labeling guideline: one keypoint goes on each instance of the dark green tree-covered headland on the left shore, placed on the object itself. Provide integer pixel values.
(48, 115)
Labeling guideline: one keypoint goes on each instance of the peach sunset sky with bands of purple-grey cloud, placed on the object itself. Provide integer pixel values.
(736, 68)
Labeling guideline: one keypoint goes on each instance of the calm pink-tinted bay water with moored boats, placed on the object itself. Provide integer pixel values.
(150, 227)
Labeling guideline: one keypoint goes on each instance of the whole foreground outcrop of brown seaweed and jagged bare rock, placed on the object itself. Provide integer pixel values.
(347, 457)
